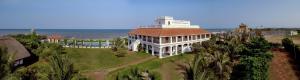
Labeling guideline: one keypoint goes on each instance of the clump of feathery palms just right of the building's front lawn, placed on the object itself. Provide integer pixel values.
(212, 62)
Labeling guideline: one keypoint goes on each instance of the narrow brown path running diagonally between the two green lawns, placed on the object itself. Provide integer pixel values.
(101, 74)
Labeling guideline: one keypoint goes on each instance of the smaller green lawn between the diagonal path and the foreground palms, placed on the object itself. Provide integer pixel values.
(155, 65)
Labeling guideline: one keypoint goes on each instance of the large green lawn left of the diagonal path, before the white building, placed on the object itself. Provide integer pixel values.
(89, 59)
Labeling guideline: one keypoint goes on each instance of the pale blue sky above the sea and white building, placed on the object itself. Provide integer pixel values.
(115, 14)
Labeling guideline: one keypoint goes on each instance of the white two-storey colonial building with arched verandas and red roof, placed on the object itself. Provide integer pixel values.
(167, 37)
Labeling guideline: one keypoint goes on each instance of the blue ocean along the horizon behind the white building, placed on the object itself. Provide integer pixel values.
(81, 33)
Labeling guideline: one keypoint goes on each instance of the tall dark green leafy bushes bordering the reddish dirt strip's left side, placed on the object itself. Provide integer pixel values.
(254, 65)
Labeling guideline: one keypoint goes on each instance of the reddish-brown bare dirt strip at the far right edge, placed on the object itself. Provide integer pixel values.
(281, 67)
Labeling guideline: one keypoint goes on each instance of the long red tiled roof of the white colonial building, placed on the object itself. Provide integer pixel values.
(167, 31)
